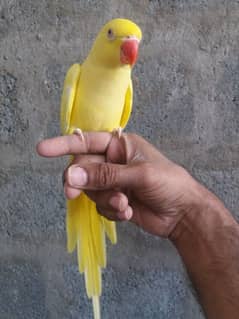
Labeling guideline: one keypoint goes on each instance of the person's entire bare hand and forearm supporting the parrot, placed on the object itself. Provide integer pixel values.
(129, 179)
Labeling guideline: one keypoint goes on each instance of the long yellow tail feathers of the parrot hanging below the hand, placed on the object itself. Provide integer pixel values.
(86, 232)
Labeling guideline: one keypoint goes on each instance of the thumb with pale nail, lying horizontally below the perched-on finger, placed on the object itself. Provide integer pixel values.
(102, 176)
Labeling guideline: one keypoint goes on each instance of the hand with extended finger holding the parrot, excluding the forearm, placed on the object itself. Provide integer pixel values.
(128, 178)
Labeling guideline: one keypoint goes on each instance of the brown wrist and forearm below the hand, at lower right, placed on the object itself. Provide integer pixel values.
(207, 239)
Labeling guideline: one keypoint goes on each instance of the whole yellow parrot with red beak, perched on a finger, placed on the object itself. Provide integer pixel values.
(97, 96)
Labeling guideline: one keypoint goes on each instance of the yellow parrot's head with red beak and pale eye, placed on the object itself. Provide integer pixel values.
(117, 43)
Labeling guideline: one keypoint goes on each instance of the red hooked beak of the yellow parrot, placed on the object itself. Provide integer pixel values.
(129, 50)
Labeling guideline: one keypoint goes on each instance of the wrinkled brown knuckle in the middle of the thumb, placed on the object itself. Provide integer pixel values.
(106, 175)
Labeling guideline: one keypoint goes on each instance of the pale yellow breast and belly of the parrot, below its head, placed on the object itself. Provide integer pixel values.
(100, 98)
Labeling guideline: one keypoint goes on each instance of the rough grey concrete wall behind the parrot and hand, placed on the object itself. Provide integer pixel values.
(186, 103)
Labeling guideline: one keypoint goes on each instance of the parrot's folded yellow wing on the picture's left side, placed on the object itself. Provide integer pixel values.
(68, 96)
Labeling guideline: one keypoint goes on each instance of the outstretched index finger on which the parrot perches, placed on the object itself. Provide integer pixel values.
(93, 142)
